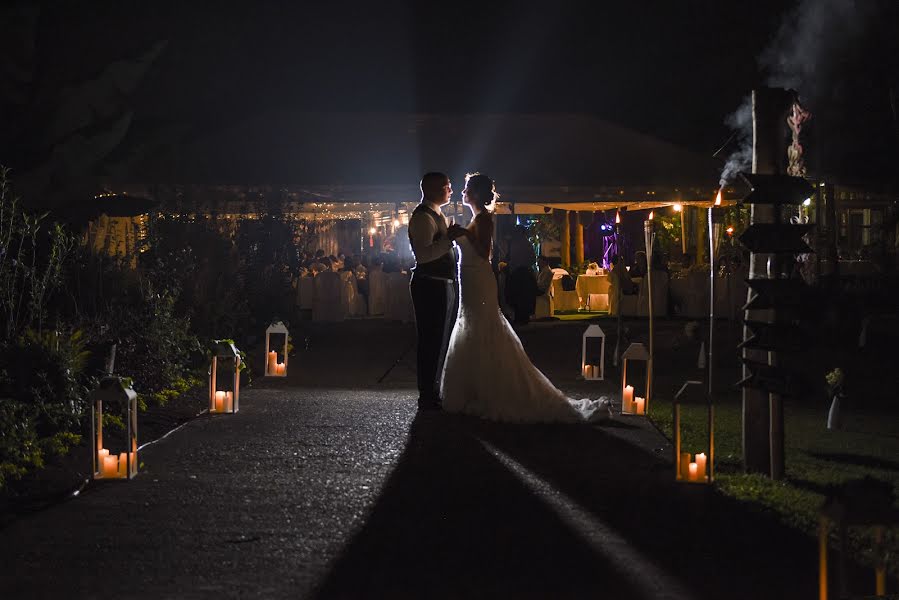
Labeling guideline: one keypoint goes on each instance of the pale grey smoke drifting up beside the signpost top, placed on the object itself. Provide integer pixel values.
(810, 40)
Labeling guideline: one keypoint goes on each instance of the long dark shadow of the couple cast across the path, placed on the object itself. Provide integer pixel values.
(477, 509)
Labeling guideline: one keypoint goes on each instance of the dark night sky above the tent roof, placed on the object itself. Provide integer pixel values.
(671, 69)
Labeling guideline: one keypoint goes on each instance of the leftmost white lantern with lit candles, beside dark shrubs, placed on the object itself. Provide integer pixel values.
(115, 394)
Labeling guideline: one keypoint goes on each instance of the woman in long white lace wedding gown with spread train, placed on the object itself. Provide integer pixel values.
(487, 372)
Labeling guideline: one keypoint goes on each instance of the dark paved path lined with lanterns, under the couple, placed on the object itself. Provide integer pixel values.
(328, 485)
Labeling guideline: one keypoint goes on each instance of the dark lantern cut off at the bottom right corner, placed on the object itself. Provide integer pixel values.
(866, 502)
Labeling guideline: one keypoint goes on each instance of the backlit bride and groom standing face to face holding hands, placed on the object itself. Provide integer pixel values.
(472, 361)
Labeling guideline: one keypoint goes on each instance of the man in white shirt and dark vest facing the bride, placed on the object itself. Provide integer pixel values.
(433, 284)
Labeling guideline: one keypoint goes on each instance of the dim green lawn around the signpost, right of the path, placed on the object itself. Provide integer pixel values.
(816, 458)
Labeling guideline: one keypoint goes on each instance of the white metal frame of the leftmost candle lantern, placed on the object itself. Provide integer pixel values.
(114, 390)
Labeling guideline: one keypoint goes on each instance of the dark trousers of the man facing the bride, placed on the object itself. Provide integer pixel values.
(434, 301)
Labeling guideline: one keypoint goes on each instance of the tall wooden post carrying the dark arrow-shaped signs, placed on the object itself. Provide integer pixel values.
(763, 412)
